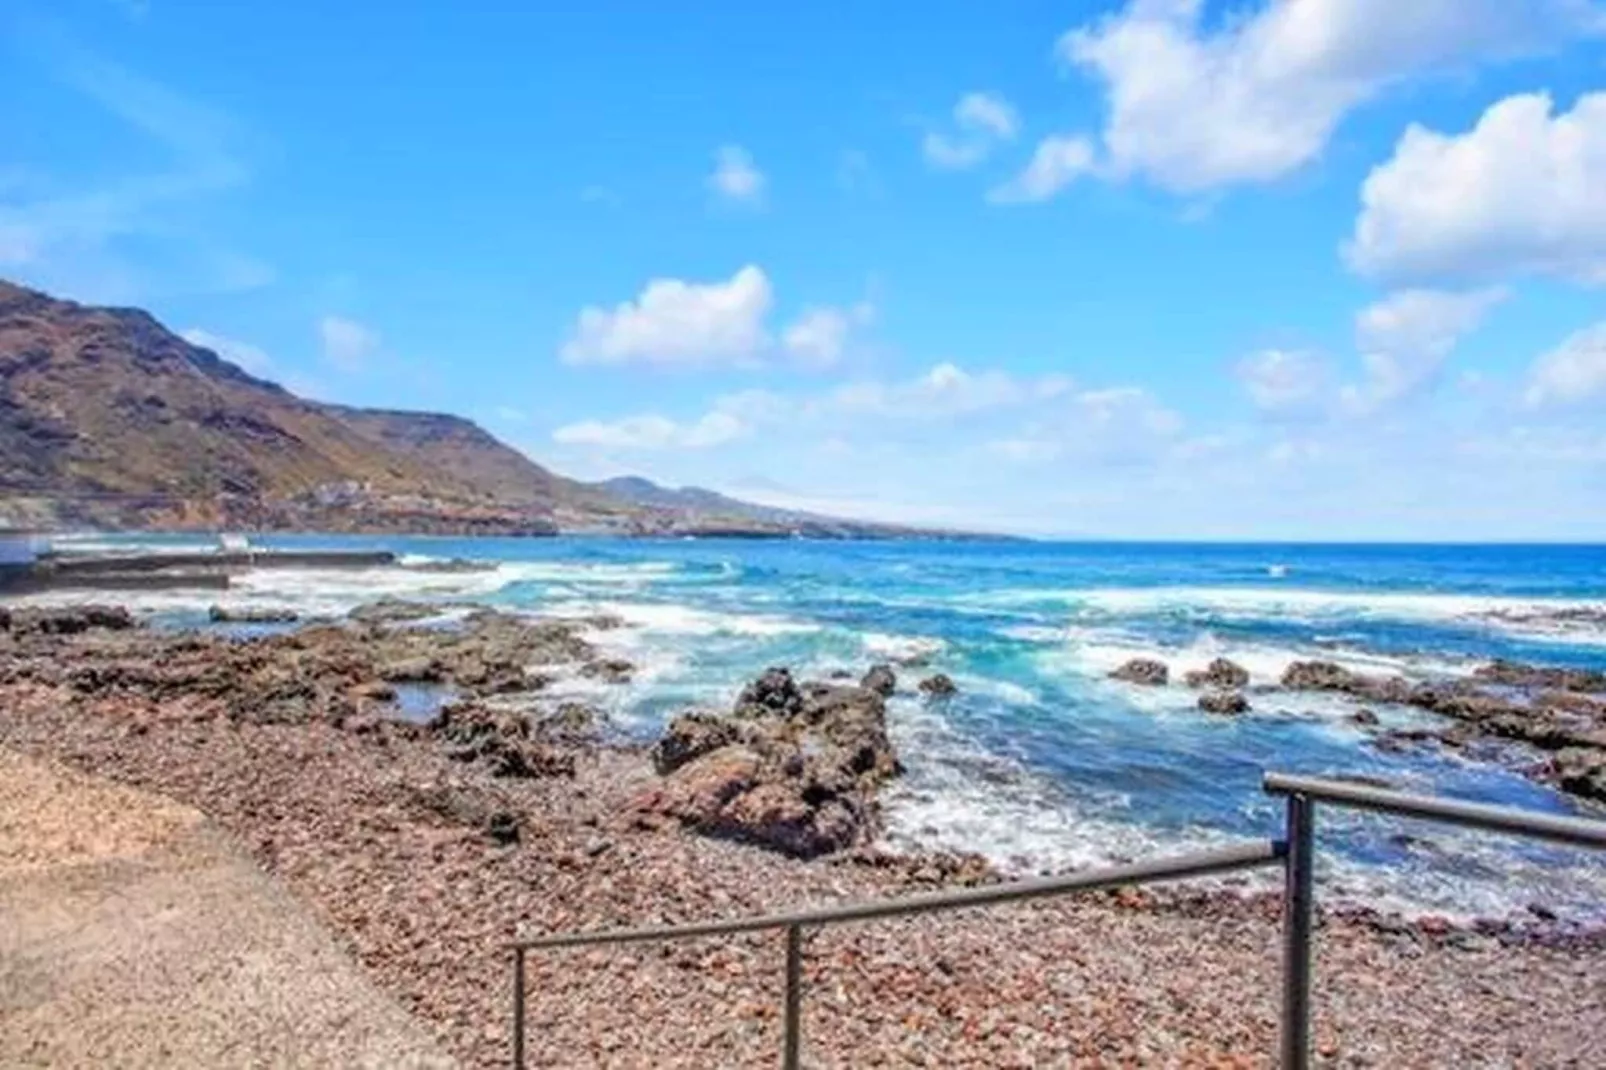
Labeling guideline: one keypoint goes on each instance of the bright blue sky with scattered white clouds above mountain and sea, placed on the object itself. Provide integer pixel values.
(1139, 269)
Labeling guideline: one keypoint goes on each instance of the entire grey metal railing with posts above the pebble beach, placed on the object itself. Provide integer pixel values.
(1297, 852)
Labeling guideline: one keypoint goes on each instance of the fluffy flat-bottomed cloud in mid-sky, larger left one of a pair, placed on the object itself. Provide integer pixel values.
(679, 324)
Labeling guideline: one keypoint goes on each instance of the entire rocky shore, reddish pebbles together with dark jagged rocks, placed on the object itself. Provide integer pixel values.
(428, 844)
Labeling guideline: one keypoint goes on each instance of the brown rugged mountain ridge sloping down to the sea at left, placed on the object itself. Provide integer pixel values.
(110, 420)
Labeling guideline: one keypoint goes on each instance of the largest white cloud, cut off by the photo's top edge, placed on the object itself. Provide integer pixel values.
(1260, 91)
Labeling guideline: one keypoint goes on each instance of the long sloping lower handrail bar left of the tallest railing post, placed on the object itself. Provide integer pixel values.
(1192, 865)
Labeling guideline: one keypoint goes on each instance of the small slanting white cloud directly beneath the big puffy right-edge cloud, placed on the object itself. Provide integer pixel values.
(1408, 337)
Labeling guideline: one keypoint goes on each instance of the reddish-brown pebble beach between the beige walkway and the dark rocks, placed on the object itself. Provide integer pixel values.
(386, 839)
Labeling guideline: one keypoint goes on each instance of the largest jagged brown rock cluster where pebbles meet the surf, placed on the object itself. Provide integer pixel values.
(793, 767)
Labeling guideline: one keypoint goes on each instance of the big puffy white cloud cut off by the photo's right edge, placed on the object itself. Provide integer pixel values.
(1523, 192)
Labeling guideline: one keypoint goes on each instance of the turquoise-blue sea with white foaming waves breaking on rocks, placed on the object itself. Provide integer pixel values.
(1041, 762)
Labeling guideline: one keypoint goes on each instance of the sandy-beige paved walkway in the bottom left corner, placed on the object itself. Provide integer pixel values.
(134, 936)
